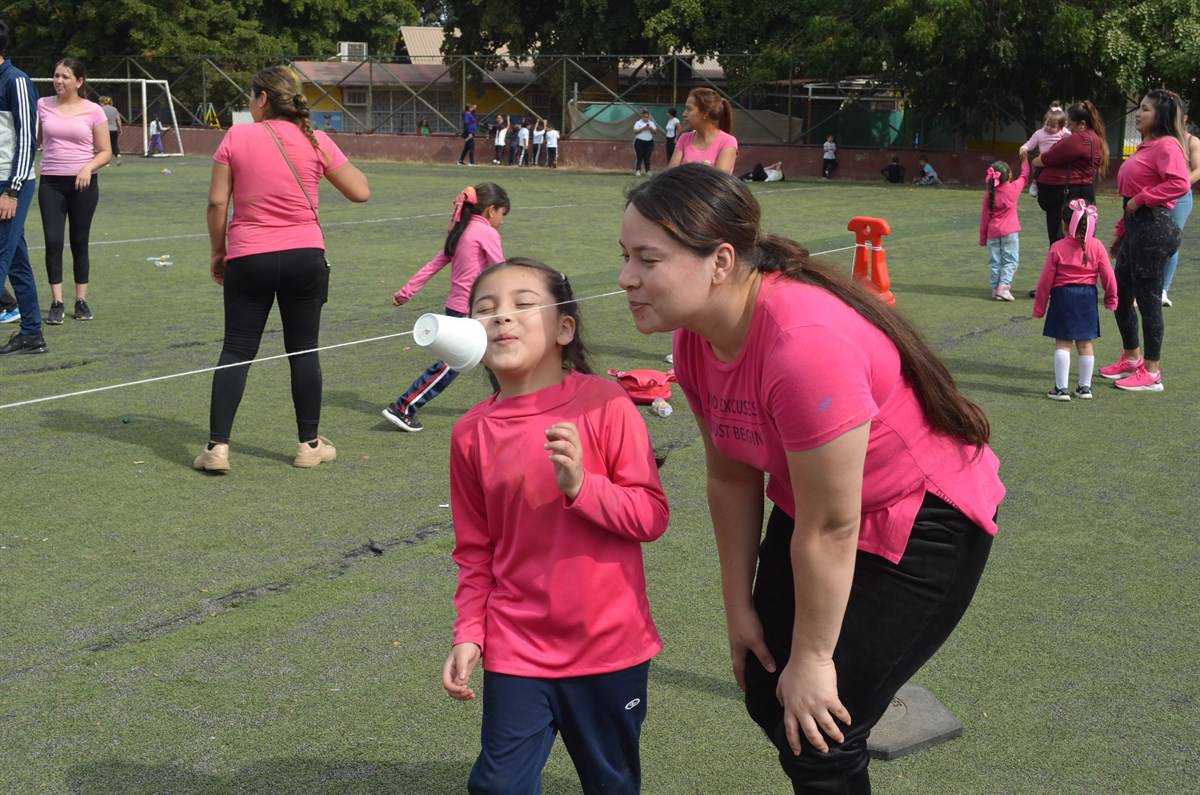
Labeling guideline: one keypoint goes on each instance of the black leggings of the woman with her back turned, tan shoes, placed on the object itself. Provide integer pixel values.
(301, 280)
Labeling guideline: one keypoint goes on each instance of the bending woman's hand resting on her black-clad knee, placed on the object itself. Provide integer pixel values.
(808, 691)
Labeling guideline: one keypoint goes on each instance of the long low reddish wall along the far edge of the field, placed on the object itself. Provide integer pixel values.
(800, 163)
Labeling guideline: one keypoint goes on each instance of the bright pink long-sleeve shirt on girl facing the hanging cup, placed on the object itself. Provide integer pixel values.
(550, 587)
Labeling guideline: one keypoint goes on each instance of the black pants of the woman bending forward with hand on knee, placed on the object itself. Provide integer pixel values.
(898, 615)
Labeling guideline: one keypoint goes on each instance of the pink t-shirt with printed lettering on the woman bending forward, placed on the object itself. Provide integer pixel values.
(812, 369)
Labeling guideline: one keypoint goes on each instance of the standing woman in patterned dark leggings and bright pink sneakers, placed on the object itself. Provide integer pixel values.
(1151, 182)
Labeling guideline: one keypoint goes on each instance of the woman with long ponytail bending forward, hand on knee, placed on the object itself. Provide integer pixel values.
(885, 489)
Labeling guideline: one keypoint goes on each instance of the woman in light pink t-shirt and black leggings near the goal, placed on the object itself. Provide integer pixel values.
(74, 135)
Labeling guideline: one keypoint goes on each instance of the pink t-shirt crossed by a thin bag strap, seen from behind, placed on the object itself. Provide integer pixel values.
(269, 211)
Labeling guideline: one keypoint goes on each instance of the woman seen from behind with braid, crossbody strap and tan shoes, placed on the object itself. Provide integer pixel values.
(273, 249)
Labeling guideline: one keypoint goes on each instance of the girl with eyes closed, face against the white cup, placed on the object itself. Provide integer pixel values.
(551, 589)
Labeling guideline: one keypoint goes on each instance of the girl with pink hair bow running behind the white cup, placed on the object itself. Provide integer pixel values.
(473, 243)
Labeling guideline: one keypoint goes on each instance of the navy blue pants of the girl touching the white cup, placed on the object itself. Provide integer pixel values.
(601, 719)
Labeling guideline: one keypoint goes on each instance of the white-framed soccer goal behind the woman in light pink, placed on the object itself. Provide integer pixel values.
(141, 103)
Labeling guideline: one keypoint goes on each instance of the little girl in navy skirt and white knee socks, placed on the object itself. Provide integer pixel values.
(1069, 284)
